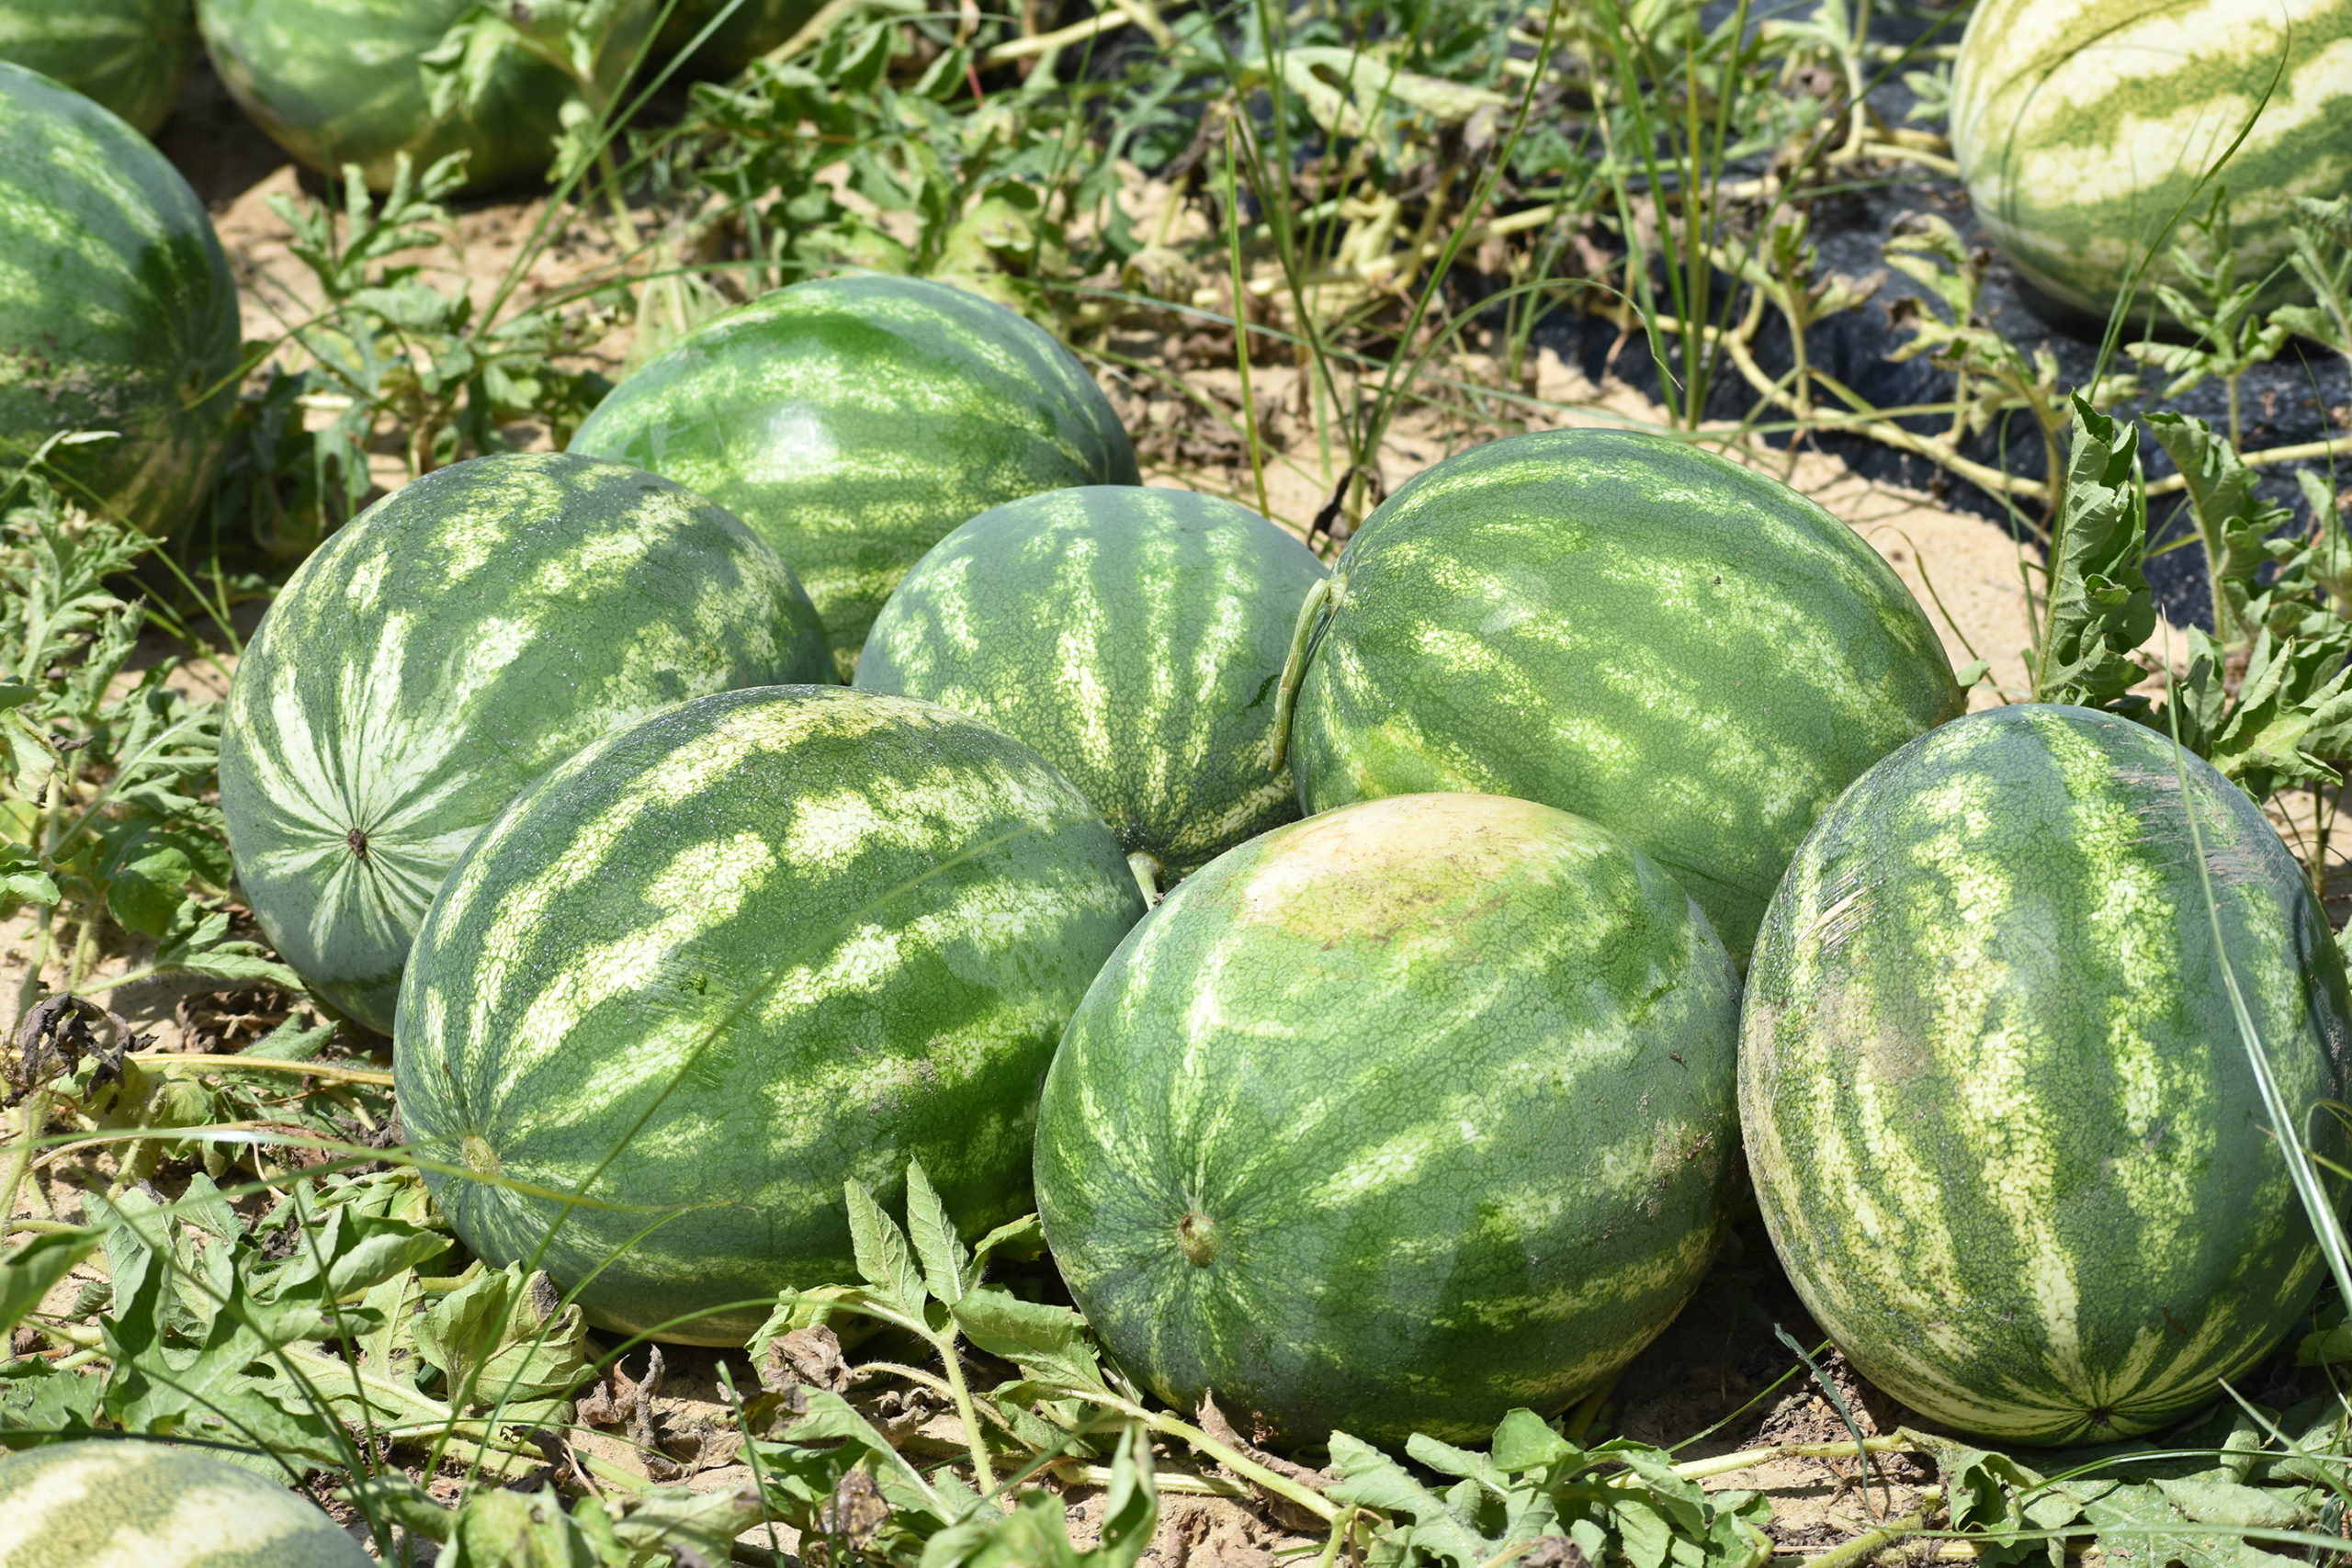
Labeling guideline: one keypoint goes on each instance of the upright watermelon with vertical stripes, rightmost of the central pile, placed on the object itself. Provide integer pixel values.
(2000, 1120)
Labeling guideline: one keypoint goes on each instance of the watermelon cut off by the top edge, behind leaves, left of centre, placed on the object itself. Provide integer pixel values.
(340, 83)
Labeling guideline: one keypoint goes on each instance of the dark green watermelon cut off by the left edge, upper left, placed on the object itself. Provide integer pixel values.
(116, 309)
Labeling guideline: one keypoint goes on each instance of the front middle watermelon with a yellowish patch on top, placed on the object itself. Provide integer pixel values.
(1396, 1120)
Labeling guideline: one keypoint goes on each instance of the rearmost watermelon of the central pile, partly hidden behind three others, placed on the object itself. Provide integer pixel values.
(853, 422)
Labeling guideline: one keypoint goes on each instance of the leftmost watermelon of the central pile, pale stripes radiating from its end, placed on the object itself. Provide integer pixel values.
(450, 645)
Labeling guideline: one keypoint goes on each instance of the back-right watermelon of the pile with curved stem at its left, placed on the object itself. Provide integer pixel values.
(1629, 629)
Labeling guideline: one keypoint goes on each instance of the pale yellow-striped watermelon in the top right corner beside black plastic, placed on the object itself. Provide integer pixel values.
(2083, 128)
